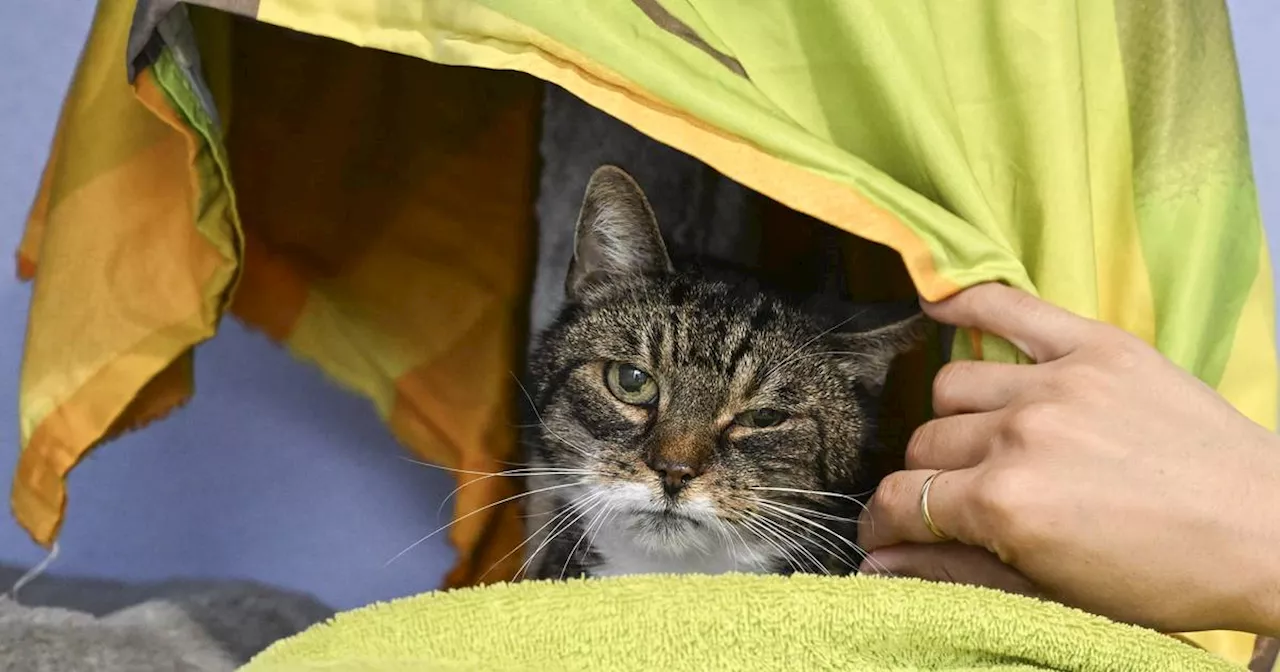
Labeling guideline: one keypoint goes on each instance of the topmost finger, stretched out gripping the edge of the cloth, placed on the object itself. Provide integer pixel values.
(1043, 331)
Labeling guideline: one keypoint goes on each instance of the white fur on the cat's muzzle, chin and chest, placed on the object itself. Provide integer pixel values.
(637, 540)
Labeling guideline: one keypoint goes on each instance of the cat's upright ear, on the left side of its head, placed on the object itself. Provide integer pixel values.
(618, 234)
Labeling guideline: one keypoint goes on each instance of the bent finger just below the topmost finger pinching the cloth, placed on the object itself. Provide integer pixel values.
(971, 387)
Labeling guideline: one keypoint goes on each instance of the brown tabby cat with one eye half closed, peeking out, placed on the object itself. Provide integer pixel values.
(692, 419)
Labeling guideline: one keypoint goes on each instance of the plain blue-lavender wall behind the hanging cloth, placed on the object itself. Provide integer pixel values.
(272, 473)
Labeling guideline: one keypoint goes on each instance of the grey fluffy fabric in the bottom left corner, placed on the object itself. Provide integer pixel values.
(100, 625)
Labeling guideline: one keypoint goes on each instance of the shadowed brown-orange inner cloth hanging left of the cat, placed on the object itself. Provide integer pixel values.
(387, 207)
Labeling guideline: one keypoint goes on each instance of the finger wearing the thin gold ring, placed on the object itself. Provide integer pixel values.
(894, 515)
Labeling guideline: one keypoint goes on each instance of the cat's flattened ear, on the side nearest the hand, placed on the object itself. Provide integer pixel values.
(877, 337)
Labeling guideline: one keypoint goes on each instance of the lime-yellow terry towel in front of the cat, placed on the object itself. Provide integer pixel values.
(734, 623)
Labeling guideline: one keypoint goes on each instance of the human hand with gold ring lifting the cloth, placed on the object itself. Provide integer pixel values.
(1103, 477)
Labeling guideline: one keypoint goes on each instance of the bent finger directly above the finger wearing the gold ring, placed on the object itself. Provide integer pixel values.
(956, 442)
